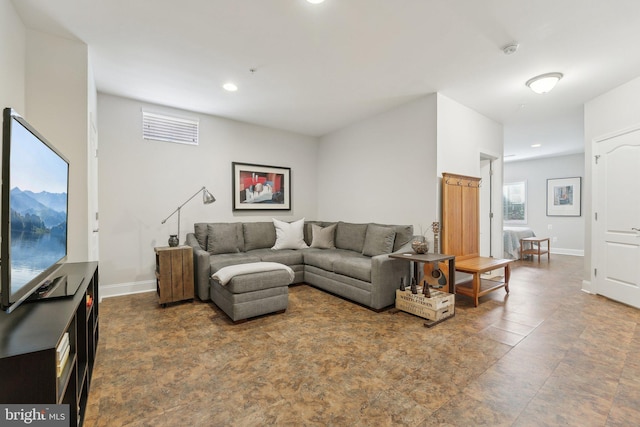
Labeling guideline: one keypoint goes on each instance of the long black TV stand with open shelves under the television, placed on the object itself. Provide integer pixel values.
(31, 337)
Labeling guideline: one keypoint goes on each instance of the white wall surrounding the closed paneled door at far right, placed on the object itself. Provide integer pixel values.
(613, 111)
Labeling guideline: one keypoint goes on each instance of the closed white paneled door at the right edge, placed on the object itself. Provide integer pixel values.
(616, 230)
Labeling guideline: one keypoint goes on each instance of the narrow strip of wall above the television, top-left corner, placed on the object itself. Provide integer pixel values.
(13, 48)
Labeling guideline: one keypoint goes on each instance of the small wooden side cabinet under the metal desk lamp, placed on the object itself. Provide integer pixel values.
(174, 274)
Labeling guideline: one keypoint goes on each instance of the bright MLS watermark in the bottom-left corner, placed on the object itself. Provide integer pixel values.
(35, 415)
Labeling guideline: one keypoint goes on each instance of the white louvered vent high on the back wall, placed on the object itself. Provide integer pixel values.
(160, 127)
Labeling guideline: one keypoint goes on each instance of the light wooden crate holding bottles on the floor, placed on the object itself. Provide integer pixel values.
(440, 306)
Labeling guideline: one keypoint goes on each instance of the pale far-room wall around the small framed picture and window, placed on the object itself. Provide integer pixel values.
(568, 231)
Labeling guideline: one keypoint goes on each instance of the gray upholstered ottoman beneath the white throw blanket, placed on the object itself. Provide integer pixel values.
(252, 294)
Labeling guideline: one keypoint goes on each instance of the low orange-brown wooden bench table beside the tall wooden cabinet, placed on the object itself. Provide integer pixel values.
(477, 266)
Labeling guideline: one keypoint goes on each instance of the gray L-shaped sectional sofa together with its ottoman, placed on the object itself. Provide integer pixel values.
(346, 259)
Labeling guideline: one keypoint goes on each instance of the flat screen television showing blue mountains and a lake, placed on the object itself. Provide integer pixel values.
(33, 215)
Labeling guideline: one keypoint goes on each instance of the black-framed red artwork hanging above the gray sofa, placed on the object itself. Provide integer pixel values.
(260, 187)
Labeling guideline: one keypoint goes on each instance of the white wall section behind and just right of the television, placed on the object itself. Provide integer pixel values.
(57, 106)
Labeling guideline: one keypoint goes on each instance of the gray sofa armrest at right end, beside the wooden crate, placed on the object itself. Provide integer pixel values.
(385, 277)
